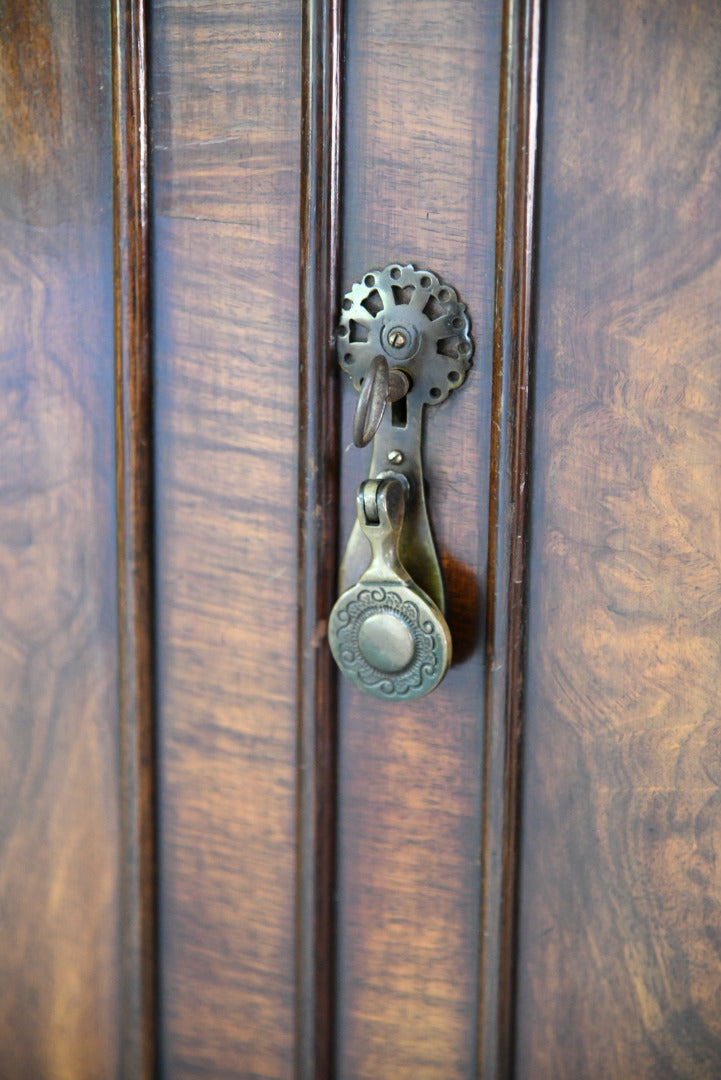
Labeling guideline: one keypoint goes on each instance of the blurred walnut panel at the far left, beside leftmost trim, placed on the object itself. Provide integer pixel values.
(60, 834)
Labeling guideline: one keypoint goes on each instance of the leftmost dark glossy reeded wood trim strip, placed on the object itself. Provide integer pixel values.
(135, 578)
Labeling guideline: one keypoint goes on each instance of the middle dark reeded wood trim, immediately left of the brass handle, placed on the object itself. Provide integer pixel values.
(318, 522)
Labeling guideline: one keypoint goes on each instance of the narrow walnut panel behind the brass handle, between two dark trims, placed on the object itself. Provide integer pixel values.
(420, 152)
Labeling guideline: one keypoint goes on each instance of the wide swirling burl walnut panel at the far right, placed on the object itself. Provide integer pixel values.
(620, 966)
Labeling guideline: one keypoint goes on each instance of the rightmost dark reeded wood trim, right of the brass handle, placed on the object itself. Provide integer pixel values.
(508, 531)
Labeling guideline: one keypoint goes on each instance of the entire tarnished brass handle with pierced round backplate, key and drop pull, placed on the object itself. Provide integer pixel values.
(404, 339)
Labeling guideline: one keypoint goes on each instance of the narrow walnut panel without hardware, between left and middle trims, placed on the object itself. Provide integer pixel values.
(227, 136)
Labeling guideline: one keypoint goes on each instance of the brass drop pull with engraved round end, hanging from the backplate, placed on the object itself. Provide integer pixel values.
(387, 636)
